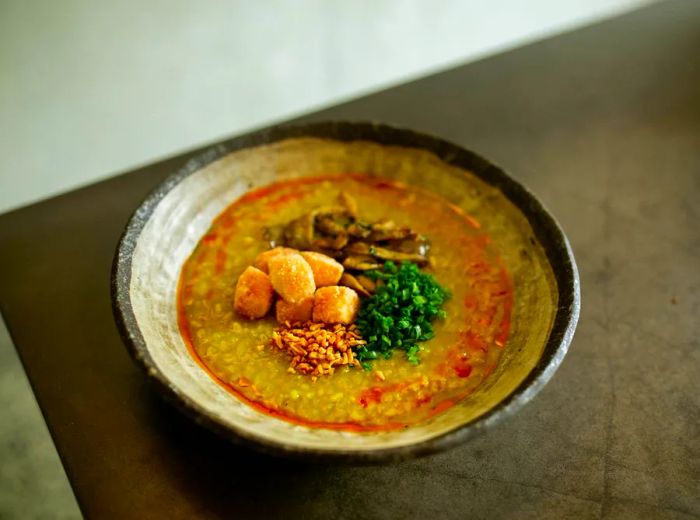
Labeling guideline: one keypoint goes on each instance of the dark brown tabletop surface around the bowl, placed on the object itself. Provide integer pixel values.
(604, 125)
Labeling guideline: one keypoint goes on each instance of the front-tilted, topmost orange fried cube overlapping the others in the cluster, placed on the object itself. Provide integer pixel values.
(291, 277)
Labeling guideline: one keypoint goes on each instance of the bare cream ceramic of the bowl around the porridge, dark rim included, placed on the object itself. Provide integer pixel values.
(165, 229)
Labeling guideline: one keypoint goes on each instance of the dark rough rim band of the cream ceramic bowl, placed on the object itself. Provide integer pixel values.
(545, 227)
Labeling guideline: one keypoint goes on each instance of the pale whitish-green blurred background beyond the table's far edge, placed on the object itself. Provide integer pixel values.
(90, 87)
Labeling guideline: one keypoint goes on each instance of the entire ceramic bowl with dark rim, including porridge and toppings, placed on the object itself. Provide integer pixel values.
(349, 290)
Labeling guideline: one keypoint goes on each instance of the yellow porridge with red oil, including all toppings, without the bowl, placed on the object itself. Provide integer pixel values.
(349, 303)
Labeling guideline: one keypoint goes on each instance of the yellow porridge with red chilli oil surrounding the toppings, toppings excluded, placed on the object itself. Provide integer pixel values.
(238, 353)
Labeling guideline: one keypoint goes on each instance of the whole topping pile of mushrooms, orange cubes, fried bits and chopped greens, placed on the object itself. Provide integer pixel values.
(328, 270)
